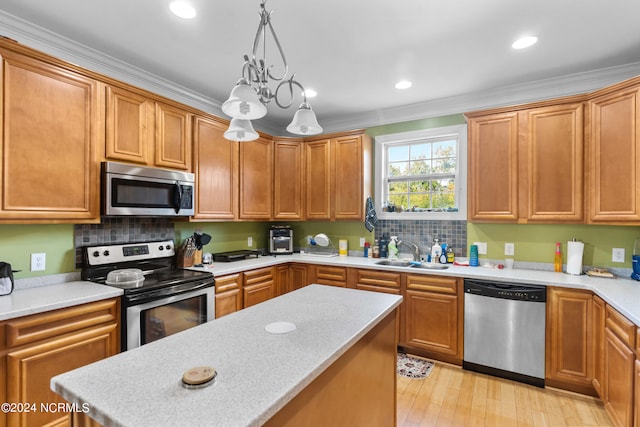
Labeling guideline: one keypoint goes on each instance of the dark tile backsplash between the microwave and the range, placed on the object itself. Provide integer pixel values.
(121, 230)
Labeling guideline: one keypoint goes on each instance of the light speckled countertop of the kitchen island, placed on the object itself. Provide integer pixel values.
(257, 372)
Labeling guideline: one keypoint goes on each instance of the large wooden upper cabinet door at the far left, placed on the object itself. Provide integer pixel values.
(51, 137)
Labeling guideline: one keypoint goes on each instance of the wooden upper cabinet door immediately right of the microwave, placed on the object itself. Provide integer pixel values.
(216, 170)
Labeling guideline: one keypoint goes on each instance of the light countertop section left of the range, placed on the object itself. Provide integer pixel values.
(23, 302)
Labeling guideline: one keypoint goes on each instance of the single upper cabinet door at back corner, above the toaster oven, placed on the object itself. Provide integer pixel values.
(288, 179)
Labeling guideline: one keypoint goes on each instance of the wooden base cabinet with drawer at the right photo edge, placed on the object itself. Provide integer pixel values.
(619, 367)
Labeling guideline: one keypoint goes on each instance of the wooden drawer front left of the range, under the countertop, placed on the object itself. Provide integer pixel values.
(28, 329)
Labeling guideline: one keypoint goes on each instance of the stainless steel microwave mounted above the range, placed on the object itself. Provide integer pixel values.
(131, 190)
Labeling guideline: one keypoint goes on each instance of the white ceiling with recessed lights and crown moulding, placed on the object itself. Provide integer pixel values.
(457, 52)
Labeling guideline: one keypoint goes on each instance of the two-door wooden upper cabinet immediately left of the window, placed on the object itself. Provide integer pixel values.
(337, 176)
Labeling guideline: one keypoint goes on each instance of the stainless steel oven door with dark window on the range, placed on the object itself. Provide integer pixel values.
(157, 319)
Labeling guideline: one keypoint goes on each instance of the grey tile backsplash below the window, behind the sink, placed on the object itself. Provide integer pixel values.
(422, 232)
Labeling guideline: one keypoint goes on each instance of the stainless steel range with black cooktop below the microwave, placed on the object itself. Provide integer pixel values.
(163, 301)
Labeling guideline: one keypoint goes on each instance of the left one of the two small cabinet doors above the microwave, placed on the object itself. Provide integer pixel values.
(130, 126)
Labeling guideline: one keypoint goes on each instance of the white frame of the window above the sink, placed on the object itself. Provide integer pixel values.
(381, 167)
